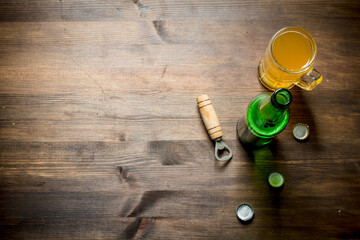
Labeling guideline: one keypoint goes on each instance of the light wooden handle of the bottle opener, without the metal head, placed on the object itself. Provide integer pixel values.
(209, 116)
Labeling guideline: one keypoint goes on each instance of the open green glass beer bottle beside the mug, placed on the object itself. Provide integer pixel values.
(266, 116)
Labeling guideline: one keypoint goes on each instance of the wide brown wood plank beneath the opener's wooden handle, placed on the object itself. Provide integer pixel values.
(70, 117)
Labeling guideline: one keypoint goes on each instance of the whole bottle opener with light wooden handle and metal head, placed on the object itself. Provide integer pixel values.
(212, 126)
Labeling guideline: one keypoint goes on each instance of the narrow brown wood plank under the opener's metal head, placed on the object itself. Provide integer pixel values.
(107, 156)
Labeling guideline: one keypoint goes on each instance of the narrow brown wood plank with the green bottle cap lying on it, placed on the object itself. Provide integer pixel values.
(250, 178)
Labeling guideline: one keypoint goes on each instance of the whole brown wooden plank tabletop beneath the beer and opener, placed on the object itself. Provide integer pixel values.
(101, 137)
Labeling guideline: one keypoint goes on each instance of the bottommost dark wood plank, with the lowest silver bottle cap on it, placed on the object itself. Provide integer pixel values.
(198, 213)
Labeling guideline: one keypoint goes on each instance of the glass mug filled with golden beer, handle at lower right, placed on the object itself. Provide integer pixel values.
(288, 61)
